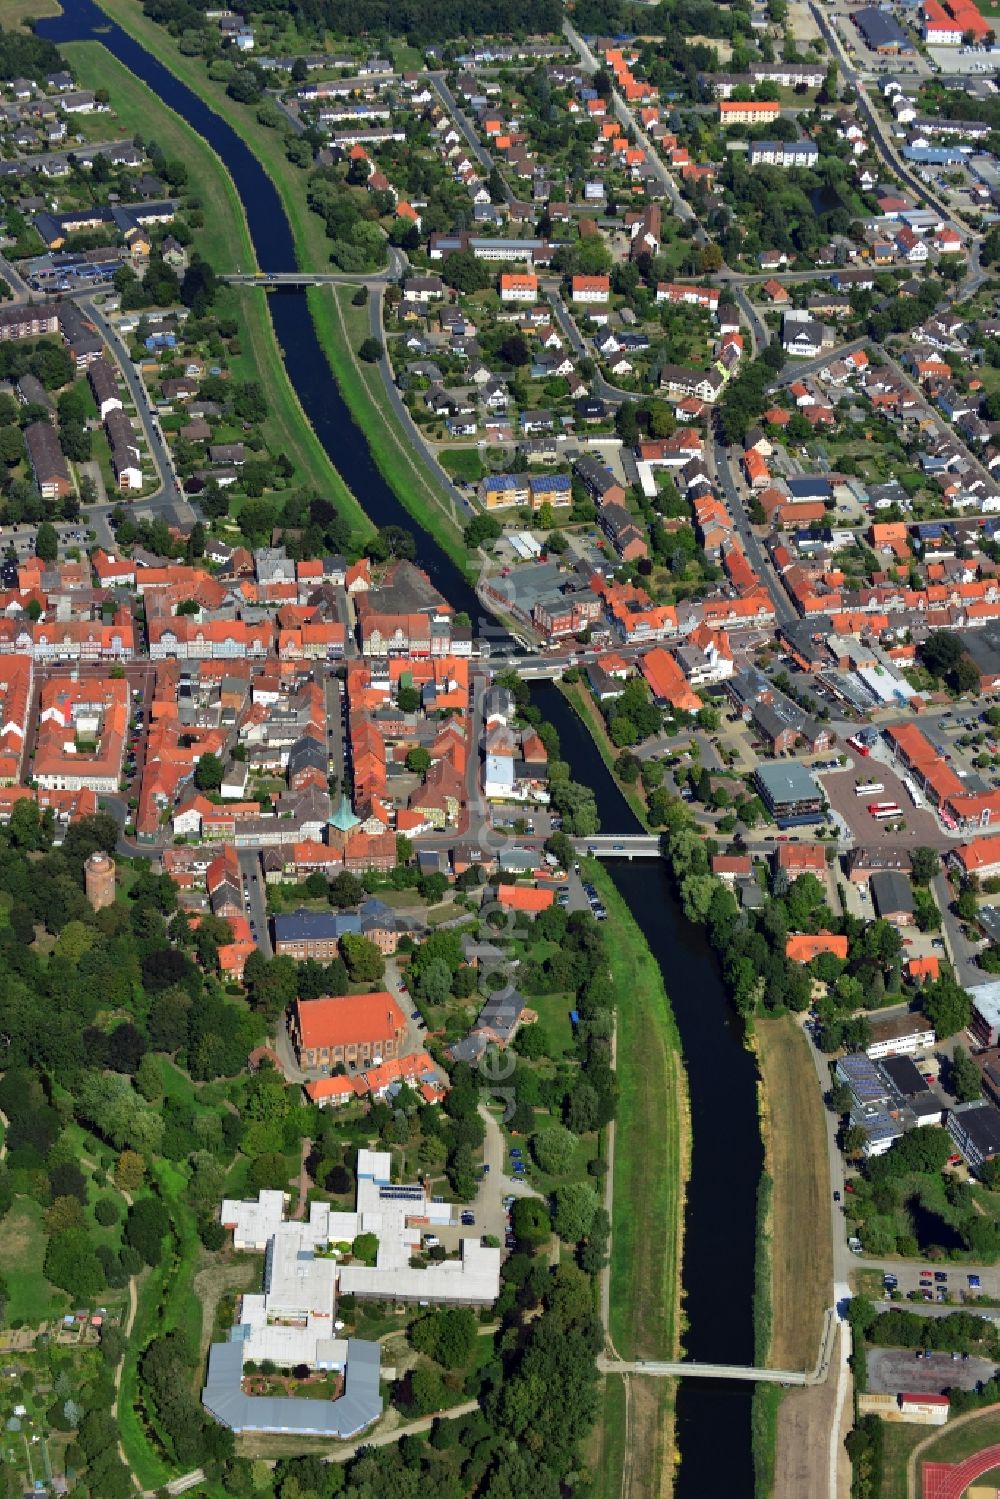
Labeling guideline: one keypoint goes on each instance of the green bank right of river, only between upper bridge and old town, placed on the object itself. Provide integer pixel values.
(341, 329)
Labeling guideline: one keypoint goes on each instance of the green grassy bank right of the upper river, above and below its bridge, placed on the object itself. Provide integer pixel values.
(428, 503)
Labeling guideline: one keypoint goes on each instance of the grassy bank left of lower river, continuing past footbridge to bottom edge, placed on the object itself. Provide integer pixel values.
(651, 1171)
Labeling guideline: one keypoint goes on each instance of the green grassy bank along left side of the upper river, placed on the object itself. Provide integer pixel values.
(226, 241)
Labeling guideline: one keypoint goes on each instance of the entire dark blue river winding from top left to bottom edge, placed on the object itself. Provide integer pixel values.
(726, 1158)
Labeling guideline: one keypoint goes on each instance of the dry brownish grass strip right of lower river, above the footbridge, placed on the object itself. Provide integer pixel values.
(795, 1134)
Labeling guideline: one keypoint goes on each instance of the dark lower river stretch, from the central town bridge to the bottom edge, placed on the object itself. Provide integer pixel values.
(726, 1150)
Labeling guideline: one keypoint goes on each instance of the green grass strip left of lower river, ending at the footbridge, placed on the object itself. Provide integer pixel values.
(651, 1146)
